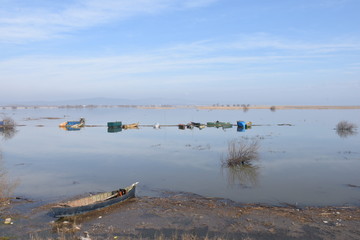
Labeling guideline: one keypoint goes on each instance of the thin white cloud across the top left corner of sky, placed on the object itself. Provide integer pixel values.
(24, 23)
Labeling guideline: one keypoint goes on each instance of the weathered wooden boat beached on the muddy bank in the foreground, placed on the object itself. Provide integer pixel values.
(98, 201)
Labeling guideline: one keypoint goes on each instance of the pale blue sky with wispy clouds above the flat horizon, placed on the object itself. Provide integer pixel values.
(220, 51)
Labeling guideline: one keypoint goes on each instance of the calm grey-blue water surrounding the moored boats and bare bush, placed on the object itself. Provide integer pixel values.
(307, 163)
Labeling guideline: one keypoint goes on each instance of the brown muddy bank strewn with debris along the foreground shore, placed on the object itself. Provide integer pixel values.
(190, 216)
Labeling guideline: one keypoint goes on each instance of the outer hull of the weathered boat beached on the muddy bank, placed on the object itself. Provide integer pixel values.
(72, 211)
